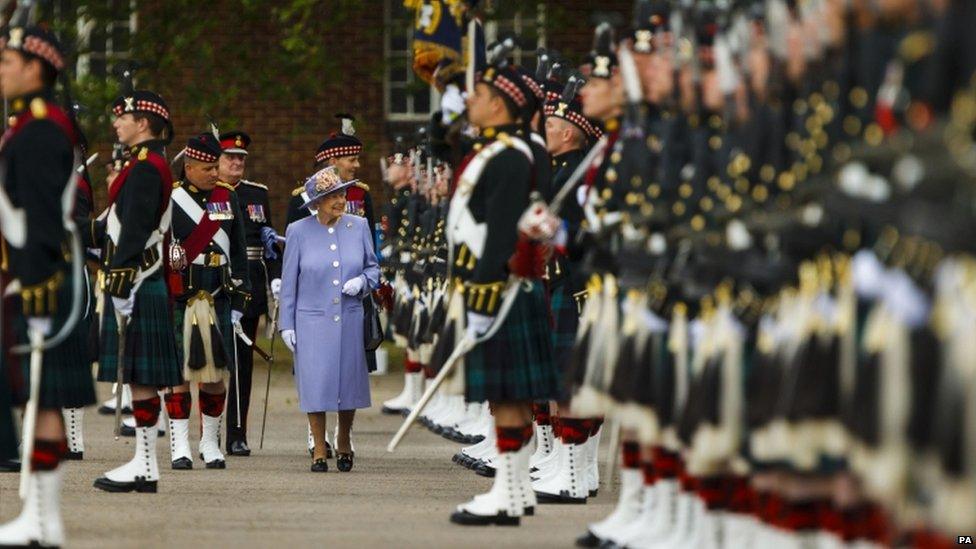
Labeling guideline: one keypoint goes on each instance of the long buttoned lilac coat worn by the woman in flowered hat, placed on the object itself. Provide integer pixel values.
(330, 357)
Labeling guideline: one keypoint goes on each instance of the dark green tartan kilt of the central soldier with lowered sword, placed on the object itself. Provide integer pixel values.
(516, 364)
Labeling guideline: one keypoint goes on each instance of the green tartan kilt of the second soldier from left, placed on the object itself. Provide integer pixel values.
(150, 350)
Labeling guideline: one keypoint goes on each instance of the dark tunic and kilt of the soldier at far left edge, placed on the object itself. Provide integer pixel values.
(37, 158)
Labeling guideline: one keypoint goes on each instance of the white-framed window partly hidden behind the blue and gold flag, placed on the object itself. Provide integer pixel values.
(407, 97)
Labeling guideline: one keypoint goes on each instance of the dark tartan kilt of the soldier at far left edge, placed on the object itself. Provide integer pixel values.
(66, 378)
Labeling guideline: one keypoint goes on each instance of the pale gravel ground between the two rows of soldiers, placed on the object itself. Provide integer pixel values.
(271, 499)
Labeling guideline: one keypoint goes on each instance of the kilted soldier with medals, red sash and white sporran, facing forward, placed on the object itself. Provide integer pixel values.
(211, 293)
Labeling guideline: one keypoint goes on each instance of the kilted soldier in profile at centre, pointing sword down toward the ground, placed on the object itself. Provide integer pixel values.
(513, 368)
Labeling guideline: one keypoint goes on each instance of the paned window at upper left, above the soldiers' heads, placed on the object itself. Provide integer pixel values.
(105, 37)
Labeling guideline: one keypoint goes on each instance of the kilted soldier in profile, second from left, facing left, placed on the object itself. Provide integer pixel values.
(133, 235)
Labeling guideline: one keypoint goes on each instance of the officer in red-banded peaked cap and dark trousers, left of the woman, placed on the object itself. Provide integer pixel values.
(264, 273)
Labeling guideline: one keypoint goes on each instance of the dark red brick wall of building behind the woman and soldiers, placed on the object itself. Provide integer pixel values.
(286, 134)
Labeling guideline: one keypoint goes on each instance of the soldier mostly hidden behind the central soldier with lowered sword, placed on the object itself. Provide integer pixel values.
(567, 473)
